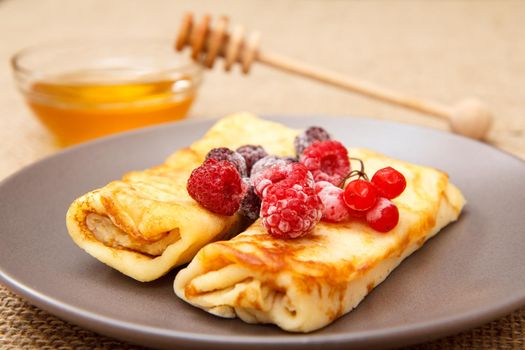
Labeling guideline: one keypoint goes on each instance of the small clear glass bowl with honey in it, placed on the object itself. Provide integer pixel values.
(83, 91)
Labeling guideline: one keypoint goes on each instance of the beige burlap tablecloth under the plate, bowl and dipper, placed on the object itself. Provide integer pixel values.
(444, 50)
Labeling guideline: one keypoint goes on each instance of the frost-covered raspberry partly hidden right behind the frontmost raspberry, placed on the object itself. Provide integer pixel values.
(291, 173)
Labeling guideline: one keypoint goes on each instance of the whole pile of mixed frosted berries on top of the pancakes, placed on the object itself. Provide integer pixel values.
(291, 195)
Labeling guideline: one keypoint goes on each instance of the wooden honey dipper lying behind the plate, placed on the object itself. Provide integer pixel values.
(469, 117)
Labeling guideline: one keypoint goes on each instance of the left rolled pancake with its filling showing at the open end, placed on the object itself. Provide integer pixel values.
(146, 223)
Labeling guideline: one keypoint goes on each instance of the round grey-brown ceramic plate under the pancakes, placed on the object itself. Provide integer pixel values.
(472, 272)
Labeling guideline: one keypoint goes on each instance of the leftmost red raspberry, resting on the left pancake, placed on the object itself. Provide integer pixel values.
(217, 186)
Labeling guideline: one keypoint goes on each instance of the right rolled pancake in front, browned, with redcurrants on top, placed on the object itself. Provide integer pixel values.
(305, 284)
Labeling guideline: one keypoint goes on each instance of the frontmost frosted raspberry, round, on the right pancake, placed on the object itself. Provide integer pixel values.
(290, 212)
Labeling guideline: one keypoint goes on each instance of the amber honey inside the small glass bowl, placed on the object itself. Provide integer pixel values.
(83, 105)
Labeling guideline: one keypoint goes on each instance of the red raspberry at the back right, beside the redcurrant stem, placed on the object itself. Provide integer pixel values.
(327, 160)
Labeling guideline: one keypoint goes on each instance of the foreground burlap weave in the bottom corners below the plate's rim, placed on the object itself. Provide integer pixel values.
(25, 326)
